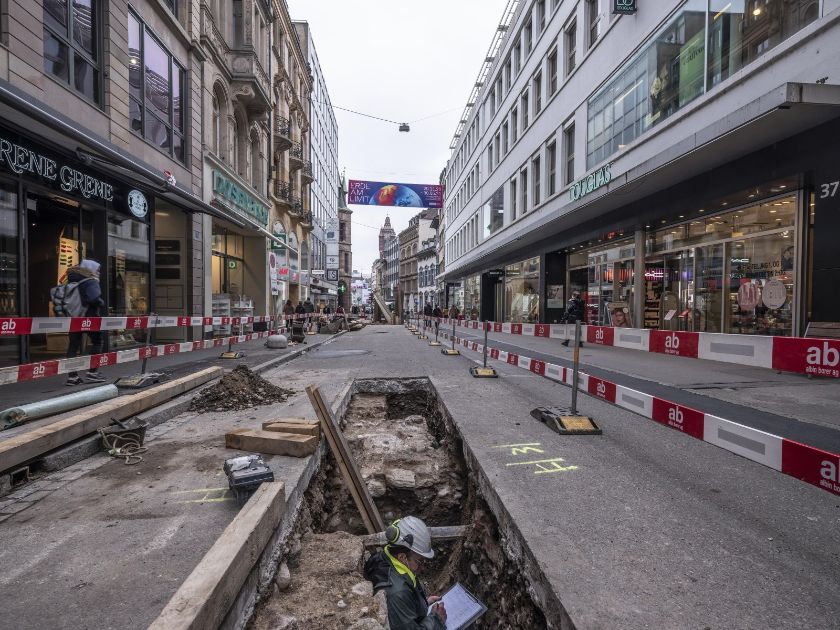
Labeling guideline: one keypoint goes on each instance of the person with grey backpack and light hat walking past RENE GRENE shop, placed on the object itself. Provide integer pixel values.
(81, 297)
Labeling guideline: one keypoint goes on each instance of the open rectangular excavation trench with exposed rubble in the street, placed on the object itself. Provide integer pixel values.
(412, 459)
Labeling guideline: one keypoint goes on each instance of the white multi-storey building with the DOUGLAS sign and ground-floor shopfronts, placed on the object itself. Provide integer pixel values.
(669, 164)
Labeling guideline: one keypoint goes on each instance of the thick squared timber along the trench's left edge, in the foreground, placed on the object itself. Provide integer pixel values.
(205, 597)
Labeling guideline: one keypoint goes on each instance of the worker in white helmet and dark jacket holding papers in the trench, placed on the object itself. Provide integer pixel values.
(394, 570)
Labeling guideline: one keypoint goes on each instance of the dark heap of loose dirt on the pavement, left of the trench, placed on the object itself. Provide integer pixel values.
(239, 389)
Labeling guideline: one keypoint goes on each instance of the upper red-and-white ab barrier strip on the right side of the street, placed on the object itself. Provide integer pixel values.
(802, 355)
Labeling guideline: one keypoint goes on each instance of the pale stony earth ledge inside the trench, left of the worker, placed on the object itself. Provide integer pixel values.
(327, 590)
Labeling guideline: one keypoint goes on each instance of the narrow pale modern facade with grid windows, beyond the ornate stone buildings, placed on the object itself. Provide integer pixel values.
(323, 191)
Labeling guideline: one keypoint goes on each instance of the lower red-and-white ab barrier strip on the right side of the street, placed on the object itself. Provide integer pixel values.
(812, 465)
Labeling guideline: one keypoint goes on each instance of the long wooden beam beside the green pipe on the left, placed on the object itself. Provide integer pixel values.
(31, 444)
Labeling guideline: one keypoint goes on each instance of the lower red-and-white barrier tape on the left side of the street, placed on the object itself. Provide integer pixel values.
(54, 367)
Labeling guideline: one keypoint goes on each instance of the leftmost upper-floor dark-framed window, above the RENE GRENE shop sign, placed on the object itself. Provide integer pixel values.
(71, 45)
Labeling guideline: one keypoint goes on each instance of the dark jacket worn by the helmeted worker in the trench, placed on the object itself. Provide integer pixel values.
(406, 602)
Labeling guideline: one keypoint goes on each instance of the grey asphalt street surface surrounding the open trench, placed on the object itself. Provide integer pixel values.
(642, 527)
